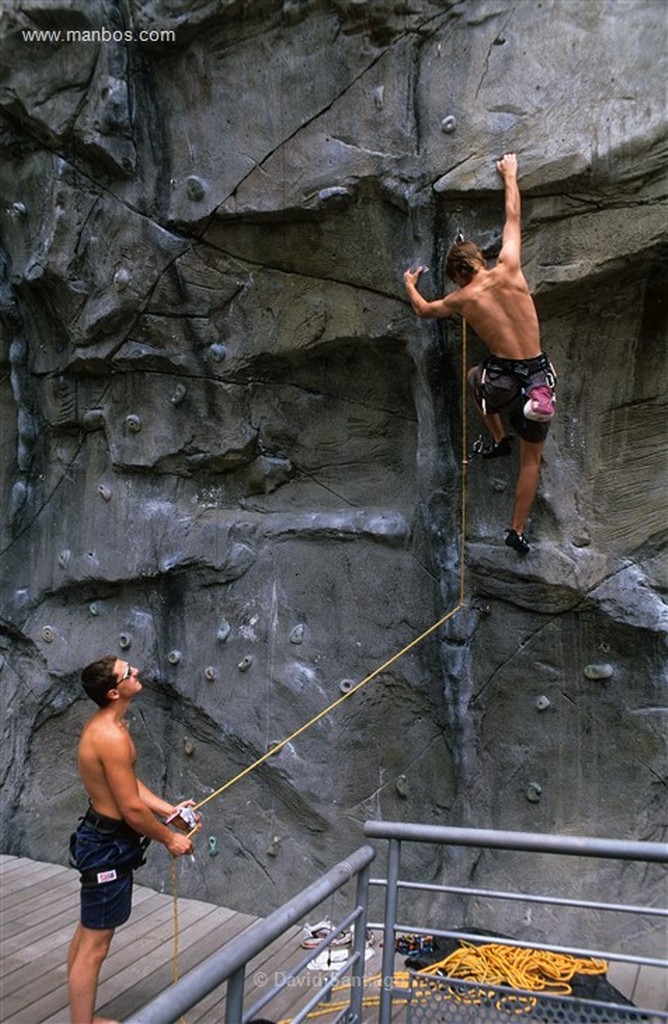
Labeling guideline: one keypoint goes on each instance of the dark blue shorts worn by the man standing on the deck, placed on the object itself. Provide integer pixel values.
(108, 904)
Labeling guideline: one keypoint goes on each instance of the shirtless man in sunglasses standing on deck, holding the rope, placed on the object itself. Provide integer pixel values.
(109, 842)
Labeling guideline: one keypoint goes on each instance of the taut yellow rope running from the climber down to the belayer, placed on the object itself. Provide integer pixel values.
(276, 749)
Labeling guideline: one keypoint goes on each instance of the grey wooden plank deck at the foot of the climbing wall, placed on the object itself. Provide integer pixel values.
(39, 913)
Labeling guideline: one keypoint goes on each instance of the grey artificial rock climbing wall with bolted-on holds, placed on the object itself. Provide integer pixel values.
(232, 455)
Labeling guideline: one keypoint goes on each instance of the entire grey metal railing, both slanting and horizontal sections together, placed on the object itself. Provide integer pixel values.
(229, 965)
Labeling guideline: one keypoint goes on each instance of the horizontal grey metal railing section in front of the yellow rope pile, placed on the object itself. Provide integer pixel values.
(398, 833)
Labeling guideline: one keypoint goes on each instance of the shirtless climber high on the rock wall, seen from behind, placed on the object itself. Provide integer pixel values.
(517, 377)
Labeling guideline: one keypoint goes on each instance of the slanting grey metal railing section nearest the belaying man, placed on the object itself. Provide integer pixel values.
(228, 966)
